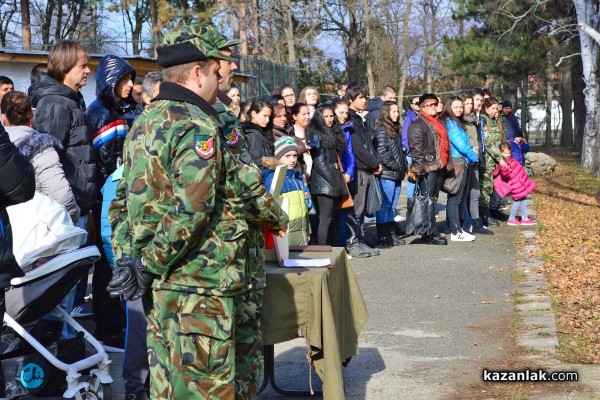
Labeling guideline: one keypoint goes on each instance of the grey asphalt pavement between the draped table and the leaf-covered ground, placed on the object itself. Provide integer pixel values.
(439, 315)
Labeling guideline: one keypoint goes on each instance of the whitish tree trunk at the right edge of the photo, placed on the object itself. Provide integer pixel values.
(590, 153)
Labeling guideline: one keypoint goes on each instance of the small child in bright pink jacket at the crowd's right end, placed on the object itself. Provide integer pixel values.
(513, 179)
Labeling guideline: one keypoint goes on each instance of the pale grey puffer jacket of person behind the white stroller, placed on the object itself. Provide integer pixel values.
(42, 150)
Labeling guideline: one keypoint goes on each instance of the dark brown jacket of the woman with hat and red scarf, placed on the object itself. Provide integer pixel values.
(425, 148)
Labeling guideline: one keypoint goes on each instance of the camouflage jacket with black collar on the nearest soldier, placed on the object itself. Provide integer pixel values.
(178, 204)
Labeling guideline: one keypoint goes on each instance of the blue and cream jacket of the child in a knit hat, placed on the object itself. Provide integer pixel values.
(299, 200)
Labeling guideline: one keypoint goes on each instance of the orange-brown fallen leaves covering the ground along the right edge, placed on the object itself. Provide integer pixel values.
(568, 213)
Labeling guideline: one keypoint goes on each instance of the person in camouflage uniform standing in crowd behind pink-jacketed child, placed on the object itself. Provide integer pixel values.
(492, 137)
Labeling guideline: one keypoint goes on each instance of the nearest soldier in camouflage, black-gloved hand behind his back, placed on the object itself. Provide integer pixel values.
(181, 226)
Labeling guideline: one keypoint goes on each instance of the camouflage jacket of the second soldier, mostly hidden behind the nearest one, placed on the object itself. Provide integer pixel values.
(261, 210)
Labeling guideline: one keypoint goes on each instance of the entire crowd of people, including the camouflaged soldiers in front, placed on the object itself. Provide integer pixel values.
(170, 173)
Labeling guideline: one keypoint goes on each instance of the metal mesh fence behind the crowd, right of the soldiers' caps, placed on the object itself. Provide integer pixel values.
(264, 77)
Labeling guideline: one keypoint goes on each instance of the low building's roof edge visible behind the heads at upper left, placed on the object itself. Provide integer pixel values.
(142, 64)
